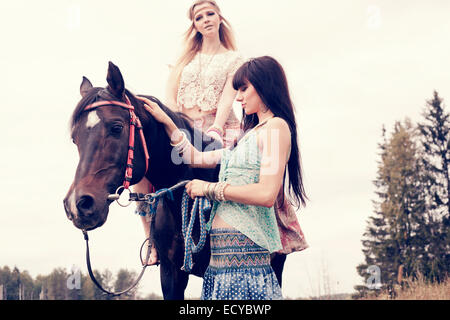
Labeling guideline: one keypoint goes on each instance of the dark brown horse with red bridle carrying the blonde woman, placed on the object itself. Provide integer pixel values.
(101, 136)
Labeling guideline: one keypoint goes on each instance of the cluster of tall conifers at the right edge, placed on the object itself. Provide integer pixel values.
(409, 233)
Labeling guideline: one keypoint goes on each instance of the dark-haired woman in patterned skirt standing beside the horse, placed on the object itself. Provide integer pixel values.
(243, 225)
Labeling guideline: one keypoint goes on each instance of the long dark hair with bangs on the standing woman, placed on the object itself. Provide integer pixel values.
(269, 80)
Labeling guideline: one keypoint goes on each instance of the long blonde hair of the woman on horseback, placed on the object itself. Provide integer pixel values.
(193, 39)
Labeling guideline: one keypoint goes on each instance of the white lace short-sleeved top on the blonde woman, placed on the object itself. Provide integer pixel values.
(203, 79)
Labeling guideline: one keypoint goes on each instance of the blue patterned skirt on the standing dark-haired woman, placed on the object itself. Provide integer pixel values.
(239, 269)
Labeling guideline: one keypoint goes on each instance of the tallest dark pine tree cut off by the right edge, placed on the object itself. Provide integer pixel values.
(435, 142)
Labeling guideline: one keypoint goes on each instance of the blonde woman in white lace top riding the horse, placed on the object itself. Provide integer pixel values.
(200, 84)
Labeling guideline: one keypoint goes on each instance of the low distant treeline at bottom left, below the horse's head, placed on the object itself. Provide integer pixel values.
(63, 285)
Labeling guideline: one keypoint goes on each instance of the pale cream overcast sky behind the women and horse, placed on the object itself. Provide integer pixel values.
(352, 67)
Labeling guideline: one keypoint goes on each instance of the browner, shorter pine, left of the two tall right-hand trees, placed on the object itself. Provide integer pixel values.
(390, 240)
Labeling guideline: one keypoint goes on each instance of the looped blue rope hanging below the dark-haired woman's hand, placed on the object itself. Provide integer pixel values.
(201, 204)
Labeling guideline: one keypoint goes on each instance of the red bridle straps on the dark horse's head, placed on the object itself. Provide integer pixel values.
(135, 123)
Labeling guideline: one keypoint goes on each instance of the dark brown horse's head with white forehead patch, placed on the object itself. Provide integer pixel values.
(102, 137)
